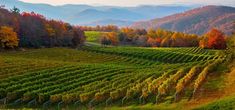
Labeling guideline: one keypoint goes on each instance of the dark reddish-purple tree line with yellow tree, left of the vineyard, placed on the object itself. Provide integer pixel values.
(34, 30)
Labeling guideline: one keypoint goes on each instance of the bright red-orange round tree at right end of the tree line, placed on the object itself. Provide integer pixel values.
(216, 39)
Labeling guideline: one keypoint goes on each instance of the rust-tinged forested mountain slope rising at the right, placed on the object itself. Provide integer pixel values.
(197, 21)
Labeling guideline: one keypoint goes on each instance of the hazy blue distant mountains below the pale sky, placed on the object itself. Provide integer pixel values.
(85, 14)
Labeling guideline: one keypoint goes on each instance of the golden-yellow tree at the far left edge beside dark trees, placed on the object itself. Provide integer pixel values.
(8, 38)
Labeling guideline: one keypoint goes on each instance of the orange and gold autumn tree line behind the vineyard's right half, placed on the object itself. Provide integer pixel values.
(214, 39)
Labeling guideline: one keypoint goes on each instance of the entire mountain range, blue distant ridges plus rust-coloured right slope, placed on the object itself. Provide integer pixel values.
(193, 19)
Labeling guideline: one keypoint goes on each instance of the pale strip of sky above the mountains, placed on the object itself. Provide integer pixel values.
(134, 2)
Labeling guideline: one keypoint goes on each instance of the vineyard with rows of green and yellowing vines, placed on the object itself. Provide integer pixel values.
(103, 76)
